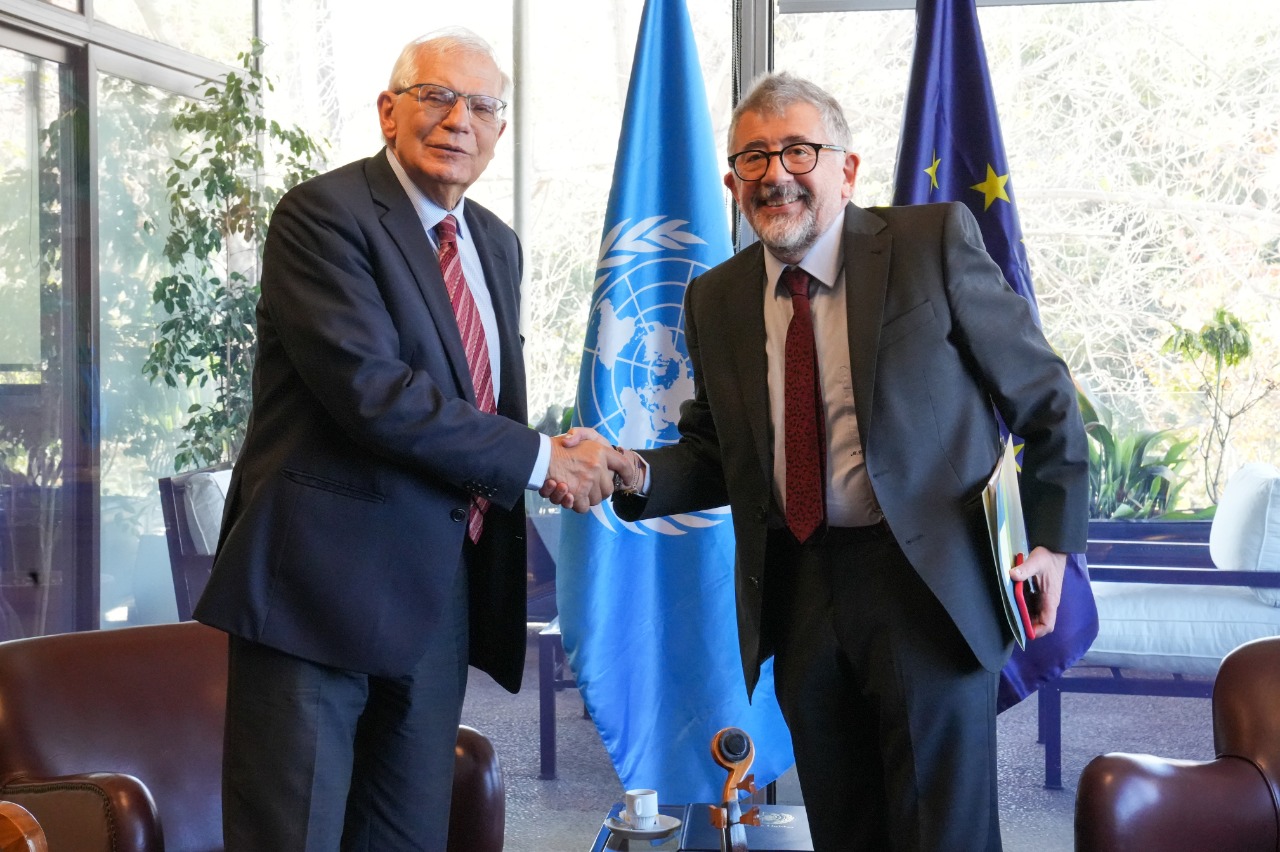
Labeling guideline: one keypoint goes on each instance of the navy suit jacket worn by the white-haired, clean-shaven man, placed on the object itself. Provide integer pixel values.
(346, 516)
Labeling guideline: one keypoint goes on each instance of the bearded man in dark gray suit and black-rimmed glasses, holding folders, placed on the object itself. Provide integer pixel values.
(876, 592)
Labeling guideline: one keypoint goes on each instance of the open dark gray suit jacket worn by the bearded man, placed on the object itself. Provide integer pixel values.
(938, 338)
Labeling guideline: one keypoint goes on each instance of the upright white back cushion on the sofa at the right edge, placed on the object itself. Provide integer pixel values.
(1246, 533)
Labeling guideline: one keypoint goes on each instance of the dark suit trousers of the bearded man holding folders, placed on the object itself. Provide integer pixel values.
(893, 718)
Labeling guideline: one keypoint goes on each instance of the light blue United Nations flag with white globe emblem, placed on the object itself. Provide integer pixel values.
(648, 610)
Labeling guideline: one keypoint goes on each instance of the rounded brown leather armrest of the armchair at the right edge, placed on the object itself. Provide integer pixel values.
(1136, 803)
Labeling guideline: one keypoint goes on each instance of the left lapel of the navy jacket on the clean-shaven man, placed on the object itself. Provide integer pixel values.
(405, 228)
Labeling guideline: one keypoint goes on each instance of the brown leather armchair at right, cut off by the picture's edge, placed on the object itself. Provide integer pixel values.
(1139, 803)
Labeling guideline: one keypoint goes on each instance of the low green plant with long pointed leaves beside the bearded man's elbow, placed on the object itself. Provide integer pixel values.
(1135, 475)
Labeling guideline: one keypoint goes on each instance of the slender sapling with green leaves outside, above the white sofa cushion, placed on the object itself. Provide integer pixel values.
(1220, 346)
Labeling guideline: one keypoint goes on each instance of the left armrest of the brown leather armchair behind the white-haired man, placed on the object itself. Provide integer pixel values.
(92, 812)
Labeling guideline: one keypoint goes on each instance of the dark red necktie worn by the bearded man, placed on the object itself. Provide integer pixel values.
(804, 422)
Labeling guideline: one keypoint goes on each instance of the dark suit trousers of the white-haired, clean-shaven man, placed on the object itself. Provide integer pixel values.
(319, 759)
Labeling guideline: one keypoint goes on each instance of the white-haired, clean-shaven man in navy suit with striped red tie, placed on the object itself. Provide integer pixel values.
(374, 537)
